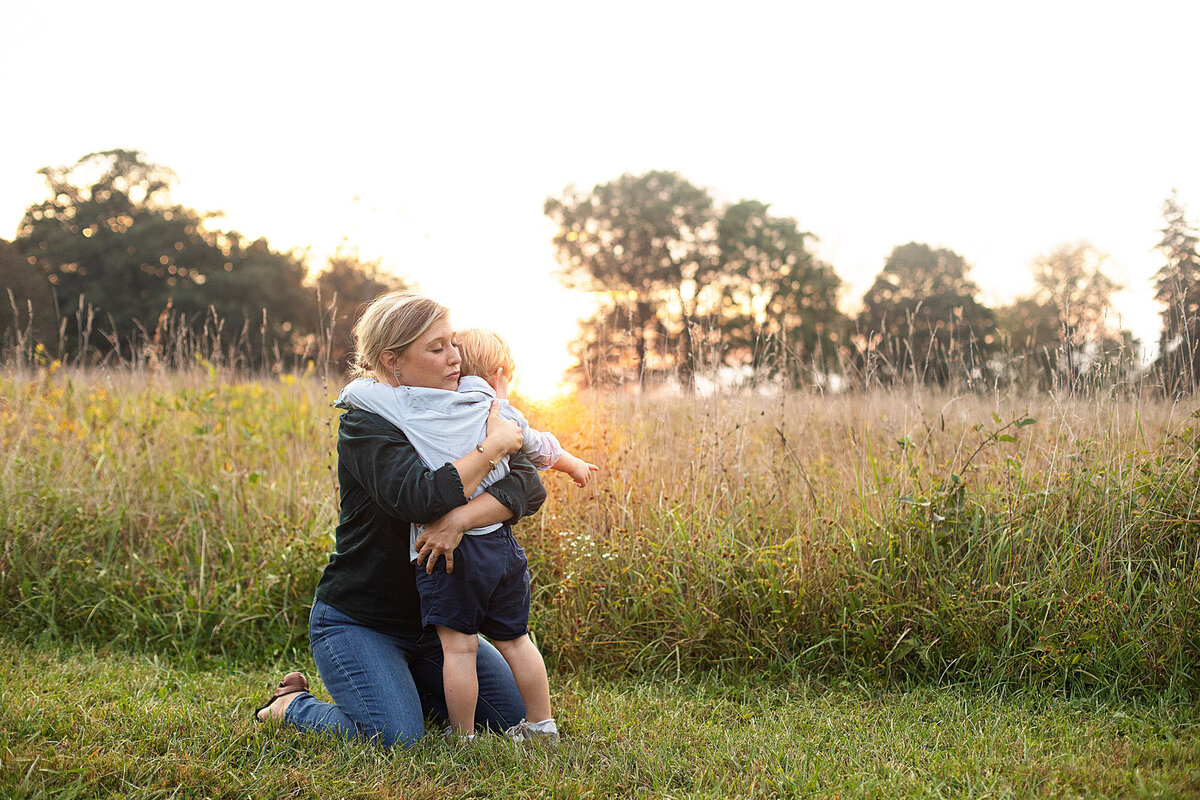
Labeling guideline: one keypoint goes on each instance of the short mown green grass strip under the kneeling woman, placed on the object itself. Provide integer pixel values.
(85, 723)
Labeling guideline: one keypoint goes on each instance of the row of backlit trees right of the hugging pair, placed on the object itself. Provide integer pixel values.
(687, 286)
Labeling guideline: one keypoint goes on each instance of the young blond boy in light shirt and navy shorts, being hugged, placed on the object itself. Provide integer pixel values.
(489, 592)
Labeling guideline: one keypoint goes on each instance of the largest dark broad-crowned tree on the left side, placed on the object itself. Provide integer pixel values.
(110, 237)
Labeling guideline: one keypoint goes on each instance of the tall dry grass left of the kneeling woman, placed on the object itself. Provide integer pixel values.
(167, 510)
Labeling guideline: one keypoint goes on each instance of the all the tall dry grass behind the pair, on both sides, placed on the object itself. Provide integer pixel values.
(899, 534)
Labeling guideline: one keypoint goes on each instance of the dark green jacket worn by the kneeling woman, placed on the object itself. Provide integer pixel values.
(385, 488)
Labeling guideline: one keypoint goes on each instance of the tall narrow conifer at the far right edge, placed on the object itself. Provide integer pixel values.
(1178, 287)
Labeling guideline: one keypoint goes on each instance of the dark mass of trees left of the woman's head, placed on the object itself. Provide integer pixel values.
(110, 268)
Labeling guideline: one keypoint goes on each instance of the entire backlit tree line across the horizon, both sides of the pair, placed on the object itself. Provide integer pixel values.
(109, 267)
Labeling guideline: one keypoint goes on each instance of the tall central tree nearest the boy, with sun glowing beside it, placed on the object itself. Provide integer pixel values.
(644, 243)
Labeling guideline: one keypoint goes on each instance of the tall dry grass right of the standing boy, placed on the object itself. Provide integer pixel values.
(907, 534)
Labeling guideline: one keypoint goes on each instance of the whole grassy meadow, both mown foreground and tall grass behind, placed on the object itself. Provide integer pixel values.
(893, 566)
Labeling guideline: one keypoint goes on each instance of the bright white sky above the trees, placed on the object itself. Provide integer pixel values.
(430, 135)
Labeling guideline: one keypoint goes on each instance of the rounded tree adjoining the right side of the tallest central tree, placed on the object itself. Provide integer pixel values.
(778, 310)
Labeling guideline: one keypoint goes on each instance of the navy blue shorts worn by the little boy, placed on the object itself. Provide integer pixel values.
(488, 593)
